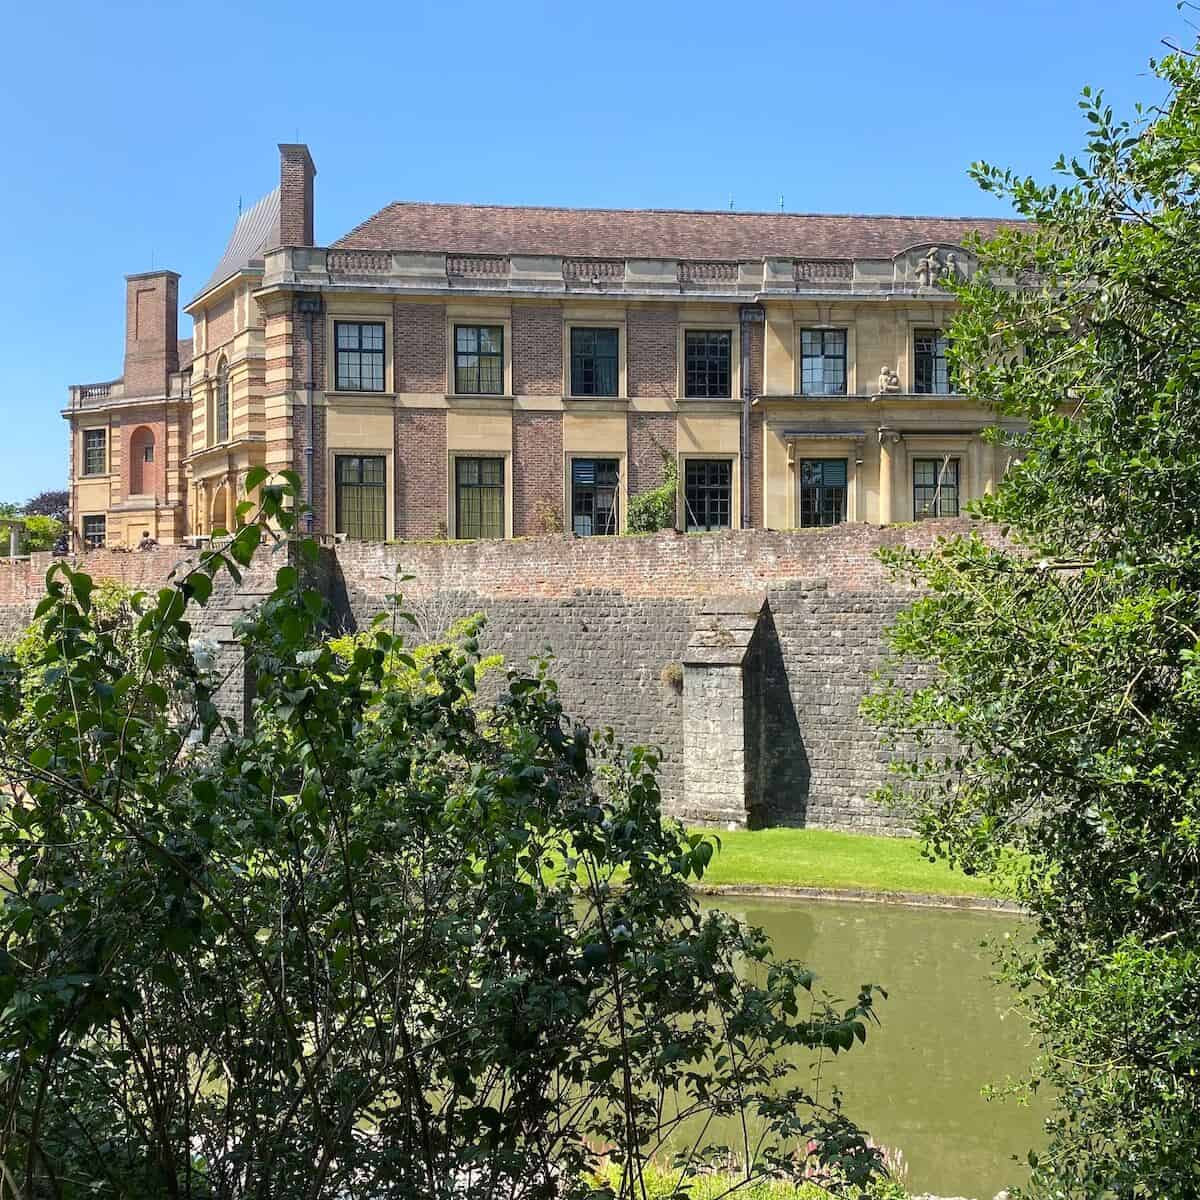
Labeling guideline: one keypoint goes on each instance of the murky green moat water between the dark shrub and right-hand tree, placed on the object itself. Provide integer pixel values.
(947, 1031)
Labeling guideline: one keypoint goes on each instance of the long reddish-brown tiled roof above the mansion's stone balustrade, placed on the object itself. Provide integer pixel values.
(651, 233)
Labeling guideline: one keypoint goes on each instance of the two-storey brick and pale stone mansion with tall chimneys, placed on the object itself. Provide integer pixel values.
(477, 371)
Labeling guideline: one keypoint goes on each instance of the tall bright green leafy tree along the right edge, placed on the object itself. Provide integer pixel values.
(1055, 709)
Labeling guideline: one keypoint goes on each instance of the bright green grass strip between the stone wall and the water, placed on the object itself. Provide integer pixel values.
(820, 859)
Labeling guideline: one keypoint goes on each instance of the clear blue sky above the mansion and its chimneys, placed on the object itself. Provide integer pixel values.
(130, 131)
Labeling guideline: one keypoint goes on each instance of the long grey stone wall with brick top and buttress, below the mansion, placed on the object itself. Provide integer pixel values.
(742, 656)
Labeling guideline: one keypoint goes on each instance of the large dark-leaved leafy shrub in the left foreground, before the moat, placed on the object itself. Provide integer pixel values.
(379, 945)
